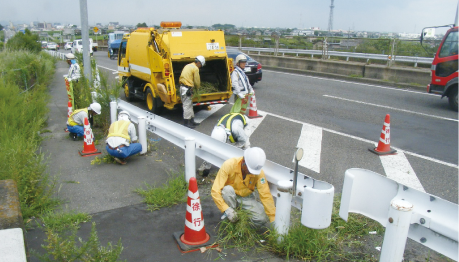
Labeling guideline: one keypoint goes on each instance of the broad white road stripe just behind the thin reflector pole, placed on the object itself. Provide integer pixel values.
(311, 142)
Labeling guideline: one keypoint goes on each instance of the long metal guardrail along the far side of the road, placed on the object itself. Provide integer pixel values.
(408, 59)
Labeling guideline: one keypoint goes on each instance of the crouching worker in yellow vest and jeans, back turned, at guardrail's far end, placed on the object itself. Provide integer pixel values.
(122, 139)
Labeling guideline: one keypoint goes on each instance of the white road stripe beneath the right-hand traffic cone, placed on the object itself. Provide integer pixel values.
(399, 169)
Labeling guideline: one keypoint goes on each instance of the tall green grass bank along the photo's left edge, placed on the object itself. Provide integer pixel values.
(20, 157)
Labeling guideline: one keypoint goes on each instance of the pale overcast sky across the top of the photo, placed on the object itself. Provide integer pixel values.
(408, 16)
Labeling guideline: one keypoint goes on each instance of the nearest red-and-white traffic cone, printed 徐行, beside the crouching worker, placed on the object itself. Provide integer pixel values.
(195, 235)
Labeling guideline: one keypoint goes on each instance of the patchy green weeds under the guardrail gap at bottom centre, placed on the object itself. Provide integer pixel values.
(341, 241)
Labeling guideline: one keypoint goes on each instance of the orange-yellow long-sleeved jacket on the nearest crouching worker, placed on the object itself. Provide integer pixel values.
(230, 174)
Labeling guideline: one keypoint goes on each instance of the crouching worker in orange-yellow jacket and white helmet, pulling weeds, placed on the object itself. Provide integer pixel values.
(235, 183)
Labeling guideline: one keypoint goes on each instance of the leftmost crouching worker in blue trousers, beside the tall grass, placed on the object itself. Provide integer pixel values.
(75, 122)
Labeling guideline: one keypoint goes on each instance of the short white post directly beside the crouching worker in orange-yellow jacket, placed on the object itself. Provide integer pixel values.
(283, 207)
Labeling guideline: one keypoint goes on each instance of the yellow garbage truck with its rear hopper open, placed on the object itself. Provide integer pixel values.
(151, 60)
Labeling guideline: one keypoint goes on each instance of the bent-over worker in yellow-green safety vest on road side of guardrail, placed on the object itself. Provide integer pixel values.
(229, 128)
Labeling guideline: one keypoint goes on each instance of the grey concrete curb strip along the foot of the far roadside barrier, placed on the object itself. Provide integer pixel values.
(347, 78)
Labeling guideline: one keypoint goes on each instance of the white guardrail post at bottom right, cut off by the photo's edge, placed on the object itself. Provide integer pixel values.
(396, 231)
